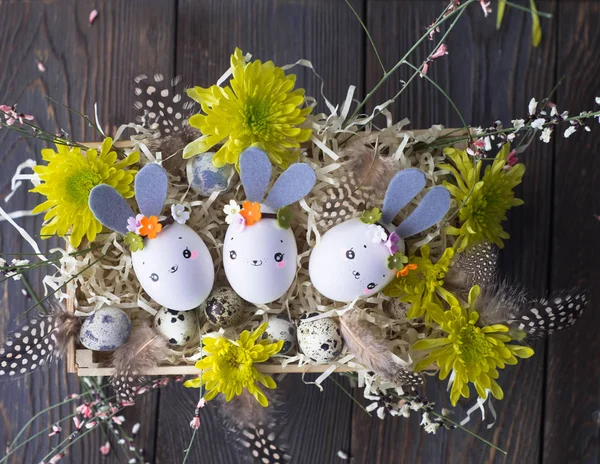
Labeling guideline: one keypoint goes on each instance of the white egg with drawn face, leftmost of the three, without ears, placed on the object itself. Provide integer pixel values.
(175, 269)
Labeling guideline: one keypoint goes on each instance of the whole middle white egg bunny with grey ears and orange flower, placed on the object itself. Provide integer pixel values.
(260, 252)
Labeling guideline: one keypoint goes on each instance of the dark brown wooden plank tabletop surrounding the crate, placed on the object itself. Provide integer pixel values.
(551, 411)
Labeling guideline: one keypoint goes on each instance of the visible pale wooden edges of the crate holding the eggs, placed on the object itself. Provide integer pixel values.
(85, 363)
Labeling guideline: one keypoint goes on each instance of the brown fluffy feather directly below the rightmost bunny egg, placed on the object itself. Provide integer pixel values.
(373, 351)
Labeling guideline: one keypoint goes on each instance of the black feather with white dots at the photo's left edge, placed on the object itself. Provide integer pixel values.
(39, 341)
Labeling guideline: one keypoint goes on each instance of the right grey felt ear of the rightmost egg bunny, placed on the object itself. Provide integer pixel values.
(431, 210)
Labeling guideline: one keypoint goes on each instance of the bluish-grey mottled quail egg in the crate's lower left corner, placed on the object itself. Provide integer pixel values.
(105, 330)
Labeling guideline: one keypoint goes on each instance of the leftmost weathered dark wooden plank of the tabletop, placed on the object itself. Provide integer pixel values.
(84, 64)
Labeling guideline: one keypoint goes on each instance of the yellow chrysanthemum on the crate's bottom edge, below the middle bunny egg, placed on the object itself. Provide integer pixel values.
(228, 366)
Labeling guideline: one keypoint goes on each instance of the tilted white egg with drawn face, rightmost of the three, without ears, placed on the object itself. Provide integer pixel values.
(347, 264)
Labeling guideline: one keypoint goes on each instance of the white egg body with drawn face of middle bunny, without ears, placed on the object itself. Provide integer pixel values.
(260, 260)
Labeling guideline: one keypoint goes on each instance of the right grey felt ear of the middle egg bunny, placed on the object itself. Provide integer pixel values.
(293, 185)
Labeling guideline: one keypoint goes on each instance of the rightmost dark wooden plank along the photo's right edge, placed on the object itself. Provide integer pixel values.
(572, 425)
